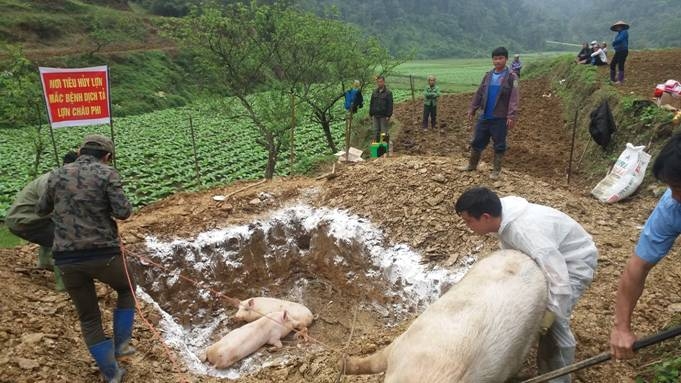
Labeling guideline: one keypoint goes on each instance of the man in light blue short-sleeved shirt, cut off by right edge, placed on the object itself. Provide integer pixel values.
(657, 238)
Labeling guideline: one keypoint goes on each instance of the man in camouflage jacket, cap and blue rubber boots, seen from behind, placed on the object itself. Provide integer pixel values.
(84, 197)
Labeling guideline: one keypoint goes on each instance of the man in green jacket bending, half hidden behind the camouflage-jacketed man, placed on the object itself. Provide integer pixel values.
(23, 221)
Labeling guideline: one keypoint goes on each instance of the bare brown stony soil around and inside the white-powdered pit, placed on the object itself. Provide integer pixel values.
(410, 197)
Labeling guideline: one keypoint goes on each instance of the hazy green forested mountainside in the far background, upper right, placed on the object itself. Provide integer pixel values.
(447, 28)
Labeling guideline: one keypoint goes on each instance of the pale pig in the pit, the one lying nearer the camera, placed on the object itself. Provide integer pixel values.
(247, 339)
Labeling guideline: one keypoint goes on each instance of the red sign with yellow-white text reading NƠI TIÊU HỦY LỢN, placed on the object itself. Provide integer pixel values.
(76, 96)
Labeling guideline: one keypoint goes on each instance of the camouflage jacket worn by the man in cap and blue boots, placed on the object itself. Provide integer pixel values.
(84, 198)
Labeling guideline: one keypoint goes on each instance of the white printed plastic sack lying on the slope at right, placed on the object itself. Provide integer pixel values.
(625, 177)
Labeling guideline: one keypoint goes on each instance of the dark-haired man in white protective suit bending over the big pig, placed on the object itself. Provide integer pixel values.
(560, 246)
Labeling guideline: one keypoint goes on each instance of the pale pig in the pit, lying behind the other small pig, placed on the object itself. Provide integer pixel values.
(251, 309)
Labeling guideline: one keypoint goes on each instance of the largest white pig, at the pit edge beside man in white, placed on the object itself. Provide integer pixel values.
(480, 331)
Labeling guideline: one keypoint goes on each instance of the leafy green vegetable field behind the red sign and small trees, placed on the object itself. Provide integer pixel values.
(154, 151)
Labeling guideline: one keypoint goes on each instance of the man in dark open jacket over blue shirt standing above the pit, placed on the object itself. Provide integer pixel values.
(498, 97)
